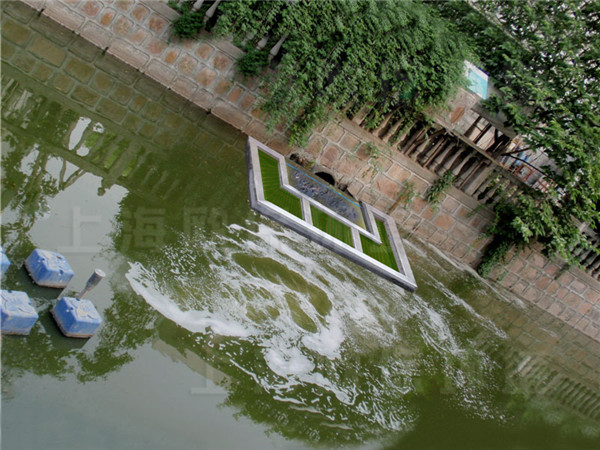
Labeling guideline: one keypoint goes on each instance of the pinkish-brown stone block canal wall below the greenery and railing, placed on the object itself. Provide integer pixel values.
(138, 33)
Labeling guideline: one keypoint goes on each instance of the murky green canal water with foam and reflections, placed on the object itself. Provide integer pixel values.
(223, 330)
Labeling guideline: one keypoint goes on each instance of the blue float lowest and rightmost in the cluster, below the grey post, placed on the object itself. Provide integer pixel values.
(76, 317)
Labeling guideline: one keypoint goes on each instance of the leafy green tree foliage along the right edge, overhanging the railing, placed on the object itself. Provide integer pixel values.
(544, 57)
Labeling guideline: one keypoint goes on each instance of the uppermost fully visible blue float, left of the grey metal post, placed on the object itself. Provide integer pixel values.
(49, 269)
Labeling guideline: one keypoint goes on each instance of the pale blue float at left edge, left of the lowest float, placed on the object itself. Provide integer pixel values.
(17, 311)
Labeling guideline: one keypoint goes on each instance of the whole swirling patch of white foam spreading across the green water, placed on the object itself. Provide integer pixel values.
(304, 306)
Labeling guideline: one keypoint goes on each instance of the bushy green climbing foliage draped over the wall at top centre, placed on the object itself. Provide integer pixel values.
(338, 55)
